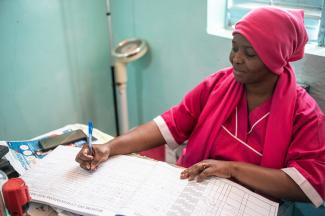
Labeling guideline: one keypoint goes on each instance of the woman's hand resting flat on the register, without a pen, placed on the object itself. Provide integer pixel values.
(206, 169)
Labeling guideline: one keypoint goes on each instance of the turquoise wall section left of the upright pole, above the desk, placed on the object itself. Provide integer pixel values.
(54, 66)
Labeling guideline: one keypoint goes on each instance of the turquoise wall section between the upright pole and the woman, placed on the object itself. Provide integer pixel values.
(181, 52)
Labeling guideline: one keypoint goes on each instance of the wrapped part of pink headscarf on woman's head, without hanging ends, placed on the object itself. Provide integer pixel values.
(278, 36)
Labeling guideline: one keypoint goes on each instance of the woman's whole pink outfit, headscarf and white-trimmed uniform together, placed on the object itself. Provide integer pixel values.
(285, 132)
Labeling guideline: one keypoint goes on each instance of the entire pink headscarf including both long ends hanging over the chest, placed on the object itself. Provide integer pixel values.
(278, 36)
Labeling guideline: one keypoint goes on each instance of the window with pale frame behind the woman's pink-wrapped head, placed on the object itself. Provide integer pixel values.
(314, 14)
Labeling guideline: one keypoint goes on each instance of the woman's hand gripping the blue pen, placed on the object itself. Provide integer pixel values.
(101, 153)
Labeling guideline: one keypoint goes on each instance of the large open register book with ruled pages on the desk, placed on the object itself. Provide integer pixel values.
(130, 185)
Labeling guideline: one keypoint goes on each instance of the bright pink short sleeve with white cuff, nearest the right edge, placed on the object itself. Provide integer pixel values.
(306, 154)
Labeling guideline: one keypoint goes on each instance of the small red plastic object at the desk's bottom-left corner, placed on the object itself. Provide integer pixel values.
(16, 196)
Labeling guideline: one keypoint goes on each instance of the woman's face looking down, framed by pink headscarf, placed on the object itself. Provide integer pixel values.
(248, 67)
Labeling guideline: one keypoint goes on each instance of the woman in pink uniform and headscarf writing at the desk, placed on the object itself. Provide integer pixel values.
(249, 122)
